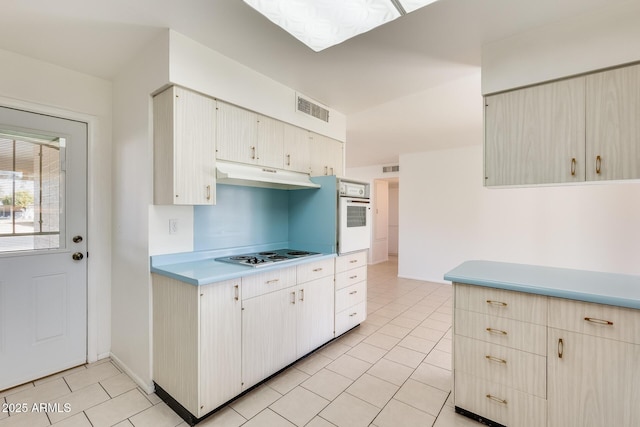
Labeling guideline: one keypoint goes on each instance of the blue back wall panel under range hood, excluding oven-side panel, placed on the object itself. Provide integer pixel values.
(242, 216)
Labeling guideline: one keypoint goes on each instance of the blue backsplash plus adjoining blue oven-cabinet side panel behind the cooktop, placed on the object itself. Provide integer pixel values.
(254, 216)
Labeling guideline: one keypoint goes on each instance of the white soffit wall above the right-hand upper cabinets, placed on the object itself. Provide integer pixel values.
(591, 41)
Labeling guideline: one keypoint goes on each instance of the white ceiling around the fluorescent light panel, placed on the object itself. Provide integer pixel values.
(411, 85)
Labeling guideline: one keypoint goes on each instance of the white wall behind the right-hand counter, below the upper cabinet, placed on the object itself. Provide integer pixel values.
(447, 217)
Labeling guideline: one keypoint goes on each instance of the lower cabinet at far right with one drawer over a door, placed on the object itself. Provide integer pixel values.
(594, 377)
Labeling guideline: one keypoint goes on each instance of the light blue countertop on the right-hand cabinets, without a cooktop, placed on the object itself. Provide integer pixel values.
(590, 286)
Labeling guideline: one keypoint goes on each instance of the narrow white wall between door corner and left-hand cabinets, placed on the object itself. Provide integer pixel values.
(132, 198)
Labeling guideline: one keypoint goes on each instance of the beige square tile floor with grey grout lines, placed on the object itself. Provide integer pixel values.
(392, 371)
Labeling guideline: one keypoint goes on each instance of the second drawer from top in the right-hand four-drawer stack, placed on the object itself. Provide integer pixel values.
(499, 330)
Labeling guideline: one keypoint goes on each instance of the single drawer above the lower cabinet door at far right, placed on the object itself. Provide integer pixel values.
(617, 323)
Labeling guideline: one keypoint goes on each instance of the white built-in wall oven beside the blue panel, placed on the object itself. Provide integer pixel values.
(354, 216)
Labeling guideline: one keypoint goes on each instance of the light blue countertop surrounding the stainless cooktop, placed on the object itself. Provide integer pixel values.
(201, 268)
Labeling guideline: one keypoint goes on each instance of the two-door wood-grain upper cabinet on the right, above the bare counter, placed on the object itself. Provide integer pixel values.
(579, 129)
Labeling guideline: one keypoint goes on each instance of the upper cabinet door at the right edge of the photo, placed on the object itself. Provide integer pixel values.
(613, 124)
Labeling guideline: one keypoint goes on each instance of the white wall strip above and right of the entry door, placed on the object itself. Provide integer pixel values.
(41, 87)
